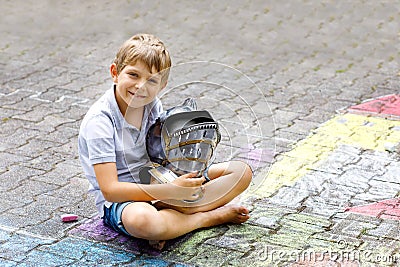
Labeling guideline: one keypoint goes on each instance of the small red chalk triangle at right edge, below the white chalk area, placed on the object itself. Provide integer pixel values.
(386, 209)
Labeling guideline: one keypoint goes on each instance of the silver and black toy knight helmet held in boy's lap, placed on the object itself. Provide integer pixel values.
(183, 139)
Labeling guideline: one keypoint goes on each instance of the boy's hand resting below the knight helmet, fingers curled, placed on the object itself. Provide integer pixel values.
(188, 187)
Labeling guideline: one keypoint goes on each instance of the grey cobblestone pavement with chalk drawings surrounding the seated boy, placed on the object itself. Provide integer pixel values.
(274, 74)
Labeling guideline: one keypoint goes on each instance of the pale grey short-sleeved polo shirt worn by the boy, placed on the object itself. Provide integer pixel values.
(105, 136)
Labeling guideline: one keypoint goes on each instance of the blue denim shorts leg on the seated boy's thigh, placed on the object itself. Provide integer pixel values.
(113, 217)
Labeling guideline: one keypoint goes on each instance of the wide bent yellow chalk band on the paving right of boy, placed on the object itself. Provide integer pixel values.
(345, 129)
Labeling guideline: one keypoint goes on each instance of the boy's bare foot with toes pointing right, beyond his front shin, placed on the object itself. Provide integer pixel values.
(228, 214)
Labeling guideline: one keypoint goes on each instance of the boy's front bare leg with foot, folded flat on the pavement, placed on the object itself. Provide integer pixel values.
(142, 220)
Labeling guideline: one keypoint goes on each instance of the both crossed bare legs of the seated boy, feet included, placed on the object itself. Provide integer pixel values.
(170, 221)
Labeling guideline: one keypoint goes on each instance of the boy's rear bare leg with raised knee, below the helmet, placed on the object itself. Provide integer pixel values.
(229, 179)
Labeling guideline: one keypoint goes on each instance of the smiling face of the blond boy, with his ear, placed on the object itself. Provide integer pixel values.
(136, 86)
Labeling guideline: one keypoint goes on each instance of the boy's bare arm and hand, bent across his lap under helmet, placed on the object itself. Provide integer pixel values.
(184, 187)
